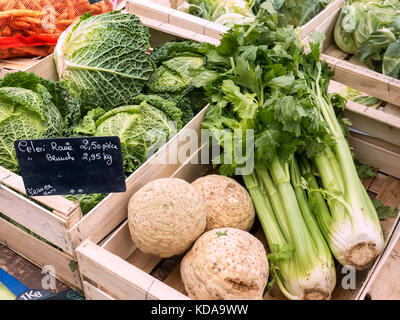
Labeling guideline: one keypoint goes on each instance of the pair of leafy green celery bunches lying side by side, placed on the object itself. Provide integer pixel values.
(262, 80)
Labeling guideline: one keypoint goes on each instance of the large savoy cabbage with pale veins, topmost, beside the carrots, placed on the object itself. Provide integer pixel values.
(103, 59)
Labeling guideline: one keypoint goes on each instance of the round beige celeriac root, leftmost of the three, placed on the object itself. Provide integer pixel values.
(166, 216)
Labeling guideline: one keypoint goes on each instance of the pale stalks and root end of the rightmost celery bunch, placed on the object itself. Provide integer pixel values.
(355, 237)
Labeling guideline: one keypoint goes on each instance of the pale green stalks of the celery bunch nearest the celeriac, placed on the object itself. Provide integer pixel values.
(286, 219)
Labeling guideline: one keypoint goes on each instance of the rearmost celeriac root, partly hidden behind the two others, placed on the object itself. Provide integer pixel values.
(228, 203)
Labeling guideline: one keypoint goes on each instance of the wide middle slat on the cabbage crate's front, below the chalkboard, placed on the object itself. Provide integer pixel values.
(35, 218)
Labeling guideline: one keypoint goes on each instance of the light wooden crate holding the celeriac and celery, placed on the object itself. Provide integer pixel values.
(117, 269)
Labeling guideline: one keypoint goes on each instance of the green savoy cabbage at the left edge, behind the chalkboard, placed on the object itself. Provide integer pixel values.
(32, 108)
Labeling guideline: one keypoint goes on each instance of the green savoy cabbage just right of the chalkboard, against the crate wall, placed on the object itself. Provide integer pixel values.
(143, 128)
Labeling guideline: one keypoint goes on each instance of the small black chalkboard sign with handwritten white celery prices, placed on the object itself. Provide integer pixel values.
(64, 166)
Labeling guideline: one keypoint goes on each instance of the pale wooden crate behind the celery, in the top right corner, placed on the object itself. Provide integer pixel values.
(351, 72)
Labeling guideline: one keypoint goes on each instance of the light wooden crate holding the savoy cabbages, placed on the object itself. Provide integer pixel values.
(57, 221)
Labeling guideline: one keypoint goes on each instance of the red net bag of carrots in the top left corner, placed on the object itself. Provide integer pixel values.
(32, 27)
